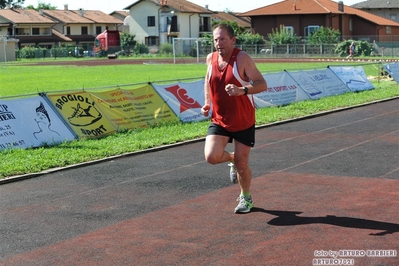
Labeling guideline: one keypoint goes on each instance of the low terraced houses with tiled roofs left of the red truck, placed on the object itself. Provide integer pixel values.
(52, 28)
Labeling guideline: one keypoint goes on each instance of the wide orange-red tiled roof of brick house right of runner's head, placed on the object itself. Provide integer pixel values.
(289, 7)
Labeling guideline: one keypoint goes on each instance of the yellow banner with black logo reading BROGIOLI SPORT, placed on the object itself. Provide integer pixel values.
(82, 114)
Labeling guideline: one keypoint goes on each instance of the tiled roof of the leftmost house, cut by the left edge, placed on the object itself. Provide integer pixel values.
(24, 16)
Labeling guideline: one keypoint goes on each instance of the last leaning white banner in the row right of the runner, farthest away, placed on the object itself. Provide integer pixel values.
(353, 77)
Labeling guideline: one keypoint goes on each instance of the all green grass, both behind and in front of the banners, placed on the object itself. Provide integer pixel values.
(17, 80)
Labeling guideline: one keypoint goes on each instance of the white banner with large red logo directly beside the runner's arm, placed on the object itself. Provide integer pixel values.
(185, 99)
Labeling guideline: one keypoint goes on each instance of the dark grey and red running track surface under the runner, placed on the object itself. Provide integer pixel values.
(321, 185)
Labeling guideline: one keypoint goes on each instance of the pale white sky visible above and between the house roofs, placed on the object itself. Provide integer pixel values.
(107, 6)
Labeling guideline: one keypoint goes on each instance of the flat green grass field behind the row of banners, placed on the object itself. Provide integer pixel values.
(24, 78)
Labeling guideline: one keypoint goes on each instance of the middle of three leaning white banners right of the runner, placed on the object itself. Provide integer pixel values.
(319, 83)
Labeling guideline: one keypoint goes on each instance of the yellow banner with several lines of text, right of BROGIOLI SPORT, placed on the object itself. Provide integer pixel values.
(128, 109)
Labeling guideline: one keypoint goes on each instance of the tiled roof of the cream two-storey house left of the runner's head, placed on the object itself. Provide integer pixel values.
(177, 5)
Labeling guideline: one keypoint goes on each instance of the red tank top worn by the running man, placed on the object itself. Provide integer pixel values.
(234, 113)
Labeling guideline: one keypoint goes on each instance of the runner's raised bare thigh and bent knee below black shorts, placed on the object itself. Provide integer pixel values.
(214, 149)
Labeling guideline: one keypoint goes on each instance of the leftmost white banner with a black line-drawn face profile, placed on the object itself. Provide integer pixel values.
(30, 122)
